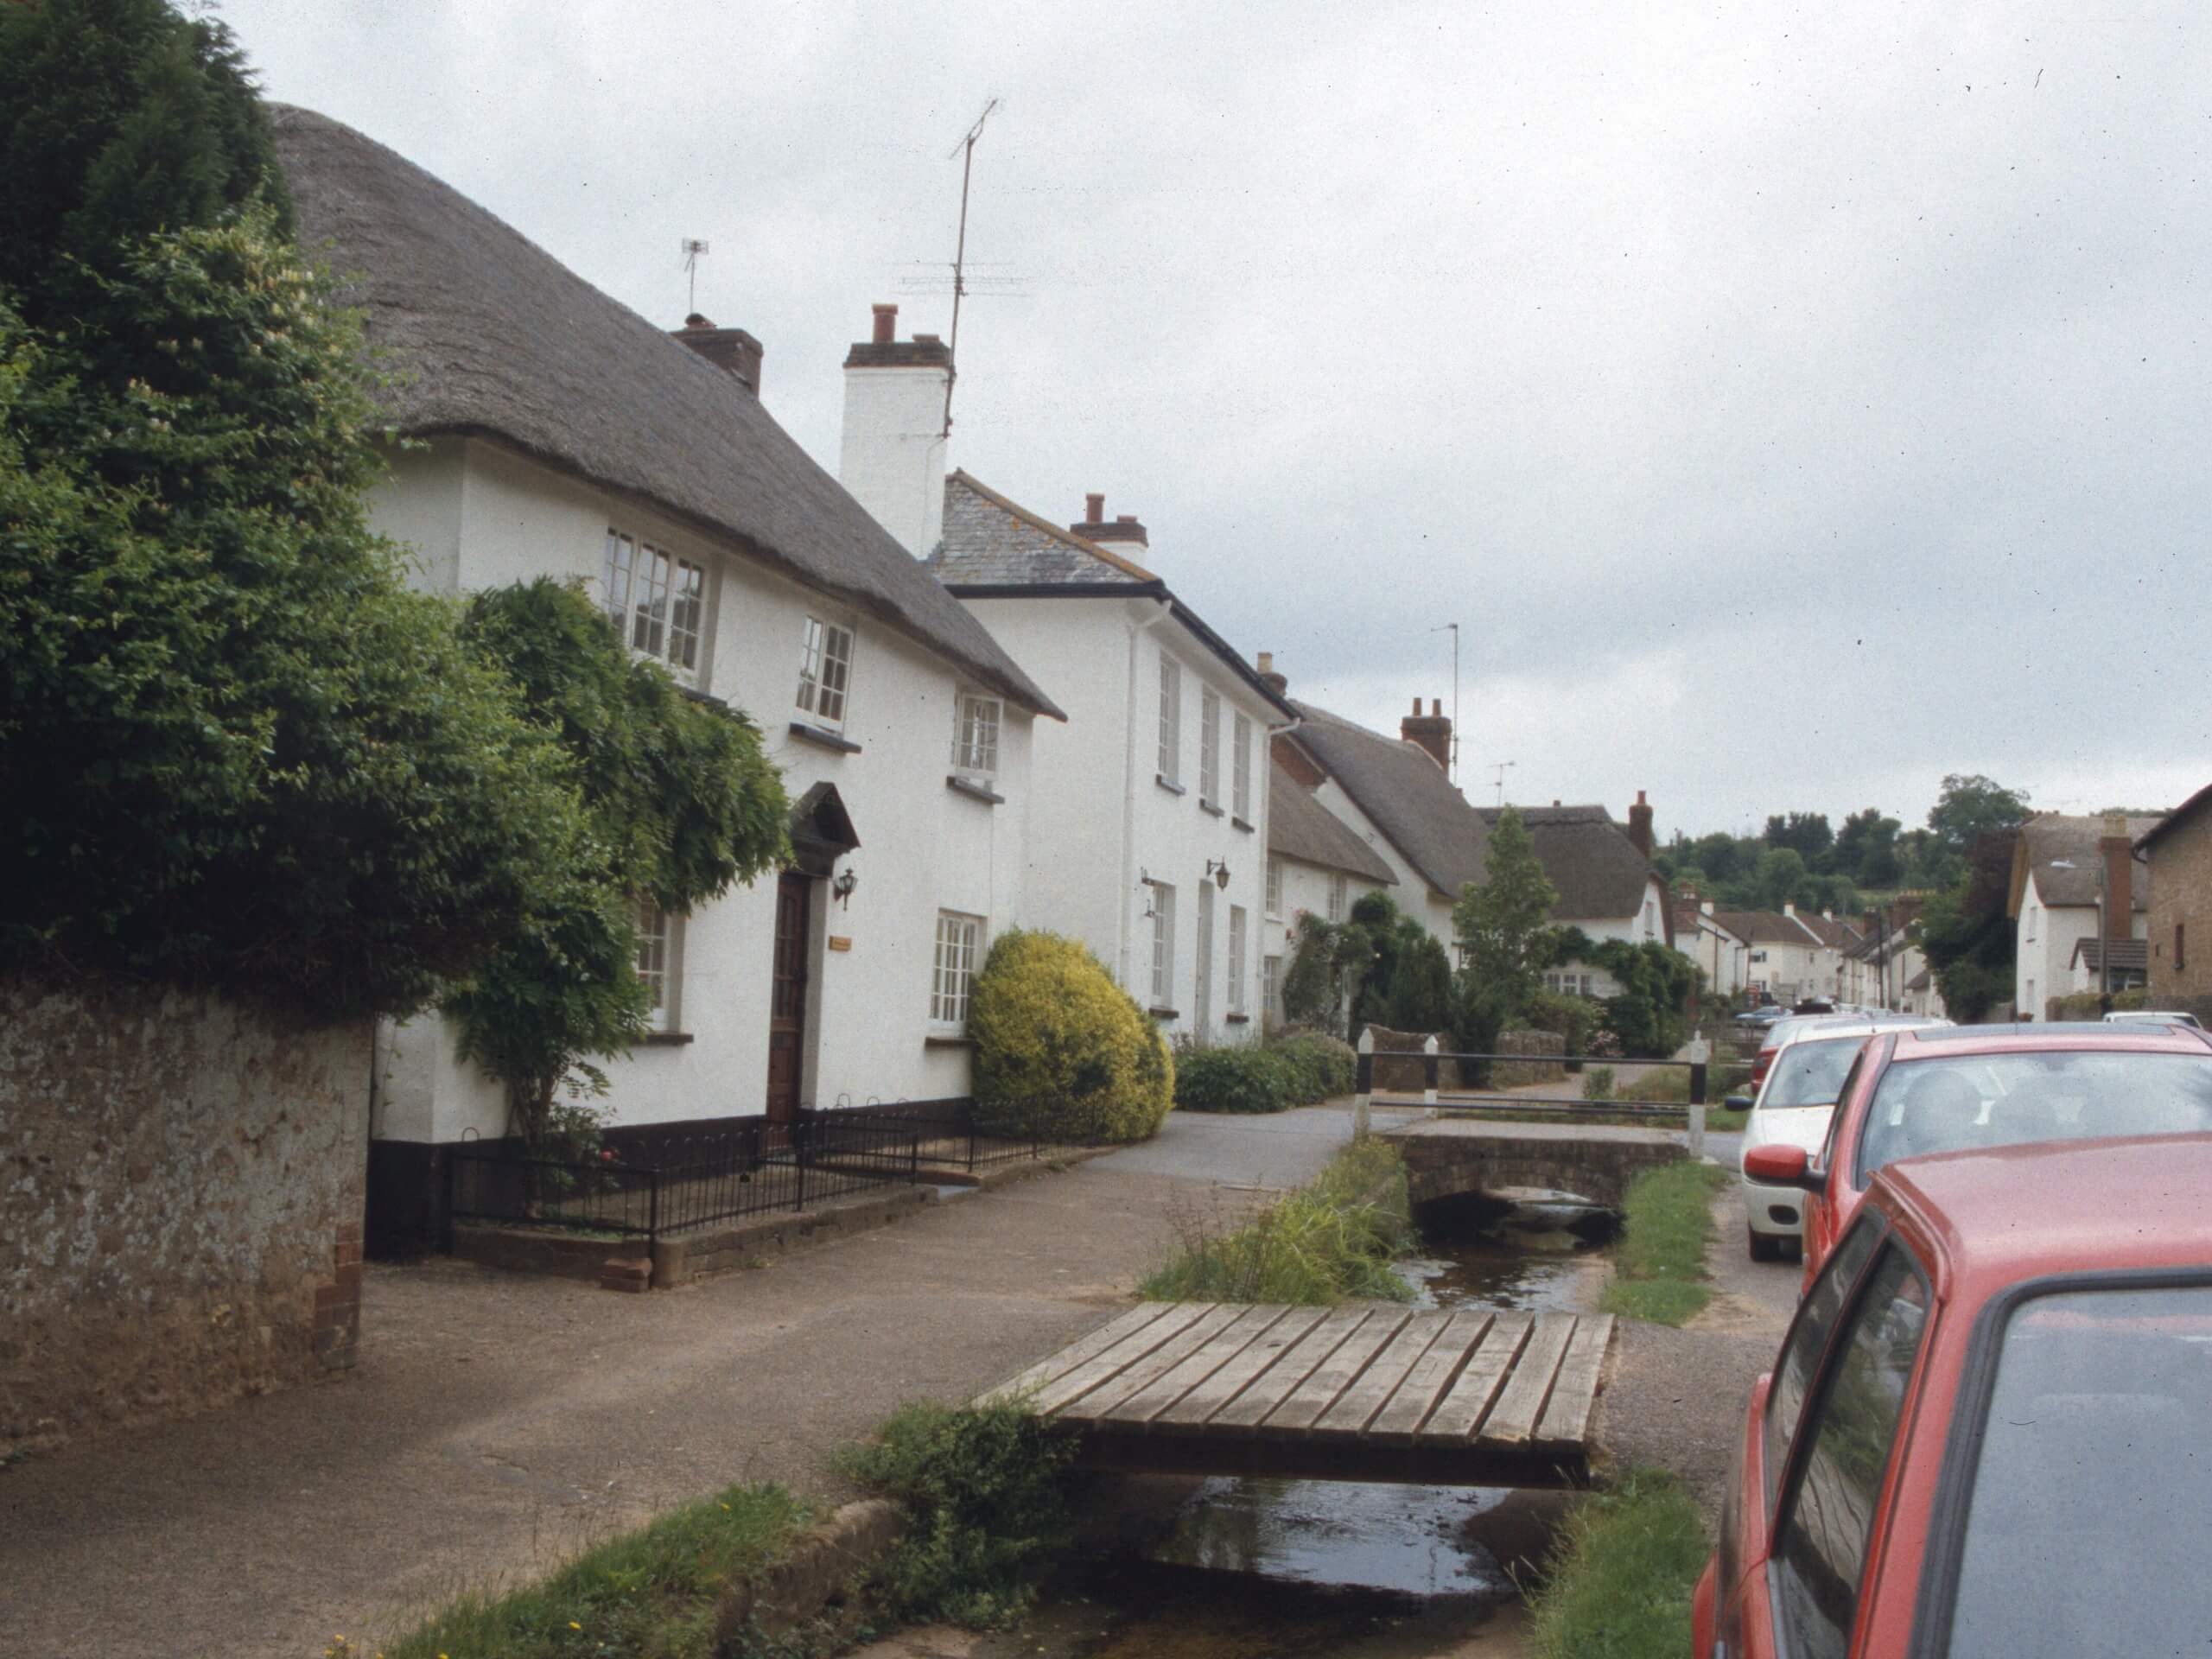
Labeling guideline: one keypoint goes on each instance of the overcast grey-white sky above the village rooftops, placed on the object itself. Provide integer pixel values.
(1793, 406)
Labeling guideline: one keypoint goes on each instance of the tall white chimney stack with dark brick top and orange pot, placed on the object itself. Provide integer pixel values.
(893, 452)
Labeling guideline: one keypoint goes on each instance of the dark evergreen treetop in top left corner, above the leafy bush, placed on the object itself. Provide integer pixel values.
(121, 121)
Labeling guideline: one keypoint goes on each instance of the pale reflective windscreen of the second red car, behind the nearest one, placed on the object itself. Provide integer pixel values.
(1974, 1103)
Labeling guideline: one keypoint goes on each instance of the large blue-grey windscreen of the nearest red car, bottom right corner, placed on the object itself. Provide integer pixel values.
(2091, 1503)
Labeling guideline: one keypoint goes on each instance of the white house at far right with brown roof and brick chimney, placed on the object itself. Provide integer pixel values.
(2063, 868)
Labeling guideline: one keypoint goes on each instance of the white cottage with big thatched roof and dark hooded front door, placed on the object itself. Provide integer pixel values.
(561, 435)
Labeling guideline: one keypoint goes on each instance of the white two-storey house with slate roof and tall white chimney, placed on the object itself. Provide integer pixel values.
(1149, 808)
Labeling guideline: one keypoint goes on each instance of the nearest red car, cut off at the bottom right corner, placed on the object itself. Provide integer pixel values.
(1990, 1426)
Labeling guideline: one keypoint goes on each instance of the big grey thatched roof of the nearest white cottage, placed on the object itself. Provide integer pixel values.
(499, 340)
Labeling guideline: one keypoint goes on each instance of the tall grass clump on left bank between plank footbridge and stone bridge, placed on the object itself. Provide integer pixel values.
(1322, 1244)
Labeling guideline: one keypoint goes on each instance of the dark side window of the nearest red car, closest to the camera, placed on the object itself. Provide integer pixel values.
(1822, 1547)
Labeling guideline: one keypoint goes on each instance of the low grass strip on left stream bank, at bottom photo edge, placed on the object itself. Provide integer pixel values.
(645, 1596)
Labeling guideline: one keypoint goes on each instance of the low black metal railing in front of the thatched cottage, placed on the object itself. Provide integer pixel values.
(685, 1182)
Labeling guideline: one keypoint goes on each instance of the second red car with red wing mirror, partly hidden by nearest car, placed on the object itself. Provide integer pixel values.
(1976, 1087)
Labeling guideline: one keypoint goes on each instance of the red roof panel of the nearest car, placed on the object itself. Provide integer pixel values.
(2012, 1213)
